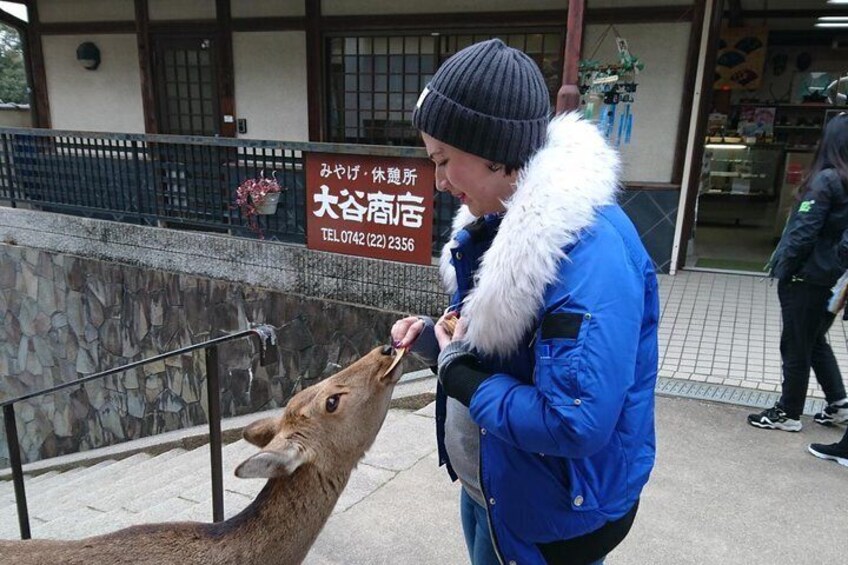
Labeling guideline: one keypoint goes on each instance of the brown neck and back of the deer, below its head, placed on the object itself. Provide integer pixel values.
(279, 526)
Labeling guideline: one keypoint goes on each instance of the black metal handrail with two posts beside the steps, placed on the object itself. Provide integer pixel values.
(267, 349)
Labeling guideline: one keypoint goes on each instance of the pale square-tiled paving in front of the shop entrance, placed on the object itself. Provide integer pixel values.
(724, 330)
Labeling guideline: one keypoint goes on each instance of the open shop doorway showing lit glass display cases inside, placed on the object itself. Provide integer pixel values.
(777, 81)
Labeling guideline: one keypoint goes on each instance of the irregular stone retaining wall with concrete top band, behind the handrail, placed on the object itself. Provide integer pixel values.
(65, 316)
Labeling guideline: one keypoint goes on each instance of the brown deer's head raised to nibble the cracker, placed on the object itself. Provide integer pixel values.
(329, 425)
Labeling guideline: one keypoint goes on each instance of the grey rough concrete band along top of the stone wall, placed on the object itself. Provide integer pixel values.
(386, 285)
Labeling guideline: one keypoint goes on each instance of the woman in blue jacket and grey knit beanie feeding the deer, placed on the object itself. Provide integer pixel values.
(545, 405)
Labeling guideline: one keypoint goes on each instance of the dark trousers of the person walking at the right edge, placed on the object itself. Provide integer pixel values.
(803, 345)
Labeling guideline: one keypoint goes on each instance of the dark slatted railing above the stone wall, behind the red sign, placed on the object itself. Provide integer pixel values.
(182, 182)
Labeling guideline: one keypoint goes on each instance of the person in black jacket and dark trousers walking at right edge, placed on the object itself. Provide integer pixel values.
(806, 266)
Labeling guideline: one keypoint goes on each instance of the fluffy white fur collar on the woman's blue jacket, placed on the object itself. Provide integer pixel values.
(556, 197)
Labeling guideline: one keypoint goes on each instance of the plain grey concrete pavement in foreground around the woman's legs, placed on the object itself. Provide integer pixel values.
(722, 493)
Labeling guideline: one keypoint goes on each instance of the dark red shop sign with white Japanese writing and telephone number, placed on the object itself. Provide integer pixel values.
(379, 207)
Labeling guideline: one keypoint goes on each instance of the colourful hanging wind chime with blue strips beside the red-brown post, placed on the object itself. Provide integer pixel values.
(608, 91)
